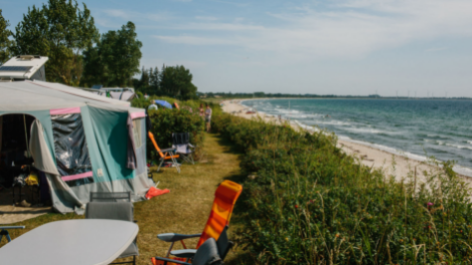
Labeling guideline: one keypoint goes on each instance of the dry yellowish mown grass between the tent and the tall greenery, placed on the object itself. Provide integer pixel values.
(184, 210)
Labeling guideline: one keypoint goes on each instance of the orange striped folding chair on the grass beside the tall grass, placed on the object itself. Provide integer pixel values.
(226, 196)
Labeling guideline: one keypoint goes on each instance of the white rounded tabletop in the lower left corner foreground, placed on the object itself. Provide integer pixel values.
(72, 242)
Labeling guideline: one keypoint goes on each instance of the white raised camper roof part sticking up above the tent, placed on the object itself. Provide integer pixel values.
(24, 67)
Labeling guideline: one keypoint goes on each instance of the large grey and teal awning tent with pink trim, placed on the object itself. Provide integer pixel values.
(82, 141)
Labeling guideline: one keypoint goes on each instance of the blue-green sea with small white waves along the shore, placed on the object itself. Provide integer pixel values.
(415, 128)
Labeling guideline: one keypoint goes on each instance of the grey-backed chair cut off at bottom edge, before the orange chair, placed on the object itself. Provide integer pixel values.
(206, 254)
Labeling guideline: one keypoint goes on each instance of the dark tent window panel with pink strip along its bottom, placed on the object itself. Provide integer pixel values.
(72, 156)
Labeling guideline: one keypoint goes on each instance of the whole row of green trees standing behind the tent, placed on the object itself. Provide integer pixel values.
(80, 56)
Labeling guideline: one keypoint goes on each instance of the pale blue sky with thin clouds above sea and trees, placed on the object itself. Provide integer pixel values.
(342, 47)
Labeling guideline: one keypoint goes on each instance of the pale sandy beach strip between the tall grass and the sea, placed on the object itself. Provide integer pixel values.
(391, 164)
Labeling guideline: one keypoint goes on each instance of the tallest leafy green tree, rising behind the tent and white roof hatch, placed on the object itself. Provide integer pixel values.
(61, 31)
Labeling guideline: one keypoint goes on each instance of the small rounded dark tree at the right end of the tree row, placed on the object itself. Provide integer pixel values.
(177, 82)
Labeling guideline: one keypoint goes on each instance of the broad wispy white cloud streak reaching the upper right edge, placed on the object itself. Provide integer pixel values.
(347, 28)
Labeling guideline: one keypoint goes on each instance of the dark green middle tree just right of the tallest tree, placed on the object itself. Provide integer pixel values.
(115, 59)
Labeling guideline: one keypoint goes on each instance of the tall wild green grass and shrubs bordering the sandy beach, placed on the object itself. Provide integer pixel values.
(306, 202)
